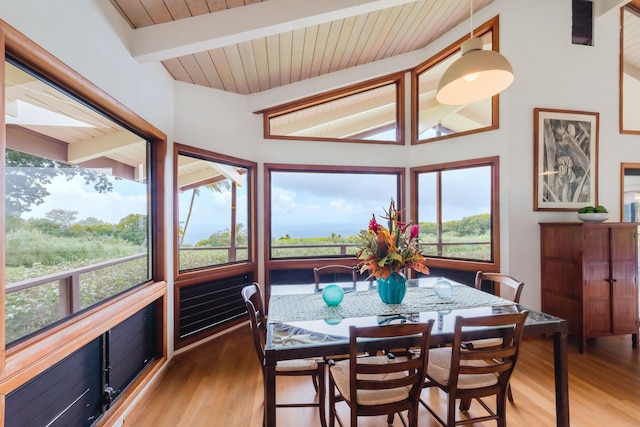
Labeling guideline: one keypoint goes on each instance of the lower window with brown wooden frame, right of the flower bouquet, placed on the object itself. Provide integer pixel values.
(457, 208)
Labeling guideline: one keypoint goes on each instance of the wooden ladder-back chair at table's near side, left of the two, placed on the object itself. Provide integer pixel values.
(380, 385)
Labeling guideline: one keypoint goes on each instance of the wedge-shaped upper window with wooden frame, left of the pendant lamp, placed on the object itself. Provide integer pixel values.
(367, 112)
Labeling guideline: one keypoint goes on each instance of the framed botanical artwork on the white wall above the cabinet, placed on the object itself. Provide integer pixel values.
(565, 159)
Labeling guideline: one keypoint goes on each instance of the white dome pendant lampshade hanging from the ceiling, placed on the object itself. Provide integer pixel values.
(487, 73)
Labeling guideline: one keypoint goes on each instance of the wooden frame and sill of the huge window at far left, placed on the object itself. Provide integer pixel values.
(30, 358)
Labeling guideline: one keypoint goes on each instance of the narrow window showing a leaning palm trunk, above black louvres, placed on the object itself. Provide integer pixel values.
(214, 201)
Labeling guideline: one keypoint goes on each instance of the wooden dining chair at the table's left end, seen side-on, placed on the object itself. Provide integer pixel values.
(314, 367)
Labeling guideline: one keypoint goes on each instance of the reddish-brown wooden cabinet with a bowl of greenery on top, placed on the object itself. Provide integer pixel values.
(590, 277)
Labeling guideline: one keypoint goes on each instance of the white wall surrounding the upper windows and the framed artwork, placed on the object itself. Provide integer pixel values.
(550, 72)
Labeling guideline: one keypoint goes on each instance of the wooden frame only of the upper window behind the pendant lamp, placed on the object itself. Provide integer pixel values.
(492, 26)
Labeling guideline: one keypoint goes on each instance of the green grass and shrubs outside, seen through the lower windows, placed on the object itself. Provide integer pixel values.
(32, 254)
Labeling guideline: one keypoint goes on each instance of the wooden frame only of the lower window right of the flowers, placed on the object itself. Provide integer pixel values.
(456, 264)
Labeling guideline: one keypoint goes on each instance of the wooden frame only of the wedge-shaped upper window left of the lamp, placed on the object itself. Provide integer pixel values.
(398, 79)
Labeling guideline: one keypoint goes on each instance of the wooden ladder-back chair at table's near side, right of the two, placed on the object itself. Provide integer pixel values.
(467, 373)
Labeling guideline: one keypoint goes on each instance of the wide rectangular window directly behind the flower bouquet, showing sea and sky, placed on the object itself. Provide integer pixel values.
(314, 211)
